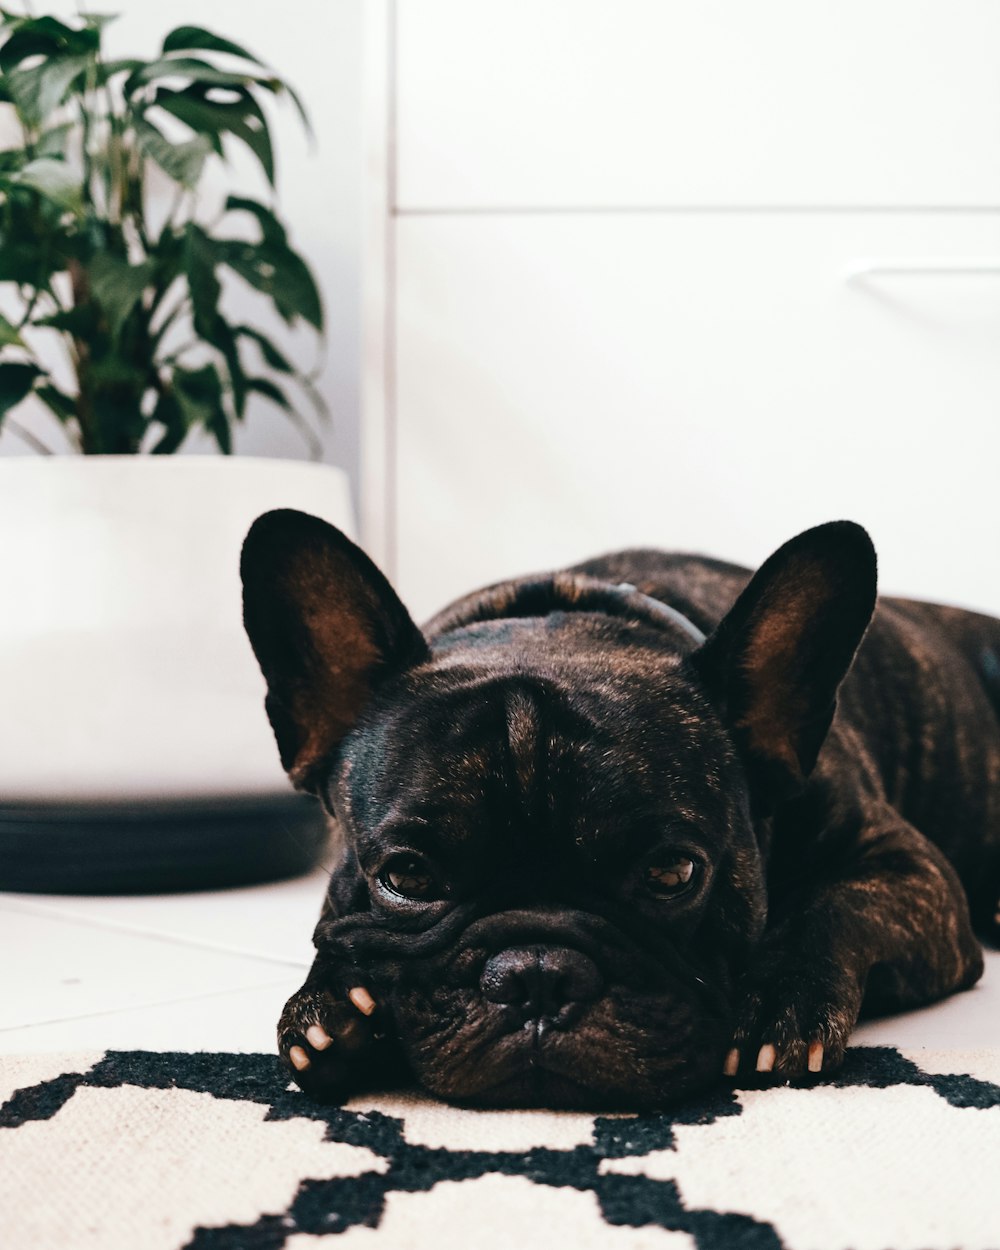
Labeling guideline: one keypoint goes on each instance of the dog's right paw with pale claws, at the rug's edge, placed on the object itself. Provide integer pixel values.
(793, 1022)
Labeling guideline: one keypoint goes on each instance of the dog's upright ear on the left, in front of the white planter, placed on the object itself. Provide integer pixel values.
(327, 629)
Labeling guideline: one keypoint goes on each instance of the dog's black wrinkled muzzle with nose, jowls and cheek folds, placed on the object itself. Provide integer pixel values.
(547, 1008)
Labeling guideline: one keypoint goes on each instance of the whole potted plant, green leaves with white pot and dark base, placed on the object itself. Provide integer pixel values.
(121, 643)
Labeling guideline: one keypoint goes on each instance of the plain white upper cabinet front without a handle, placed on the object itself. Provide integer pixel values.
(638, 103)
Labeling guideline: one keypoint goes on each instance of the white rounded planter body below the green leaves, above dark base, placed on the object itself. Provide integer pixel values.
(126, 677)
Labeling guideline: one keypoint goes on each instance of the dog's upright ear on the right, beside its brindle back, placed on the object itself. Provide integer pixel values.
(776, 662)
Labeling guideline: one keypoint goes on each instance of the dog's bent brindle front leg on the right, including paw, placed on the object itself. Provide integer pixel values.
(889, 932)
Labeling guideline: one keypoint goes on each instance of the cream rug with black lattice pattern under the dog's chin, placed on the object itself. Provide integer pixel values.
(134, 1151)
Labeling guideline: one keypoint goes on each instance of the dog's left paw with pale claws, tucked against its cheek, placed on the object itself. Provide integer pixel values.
(332, 1043)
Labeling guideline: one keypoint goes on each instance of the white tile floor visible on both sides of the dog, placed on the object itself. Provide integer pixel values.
(211, 972)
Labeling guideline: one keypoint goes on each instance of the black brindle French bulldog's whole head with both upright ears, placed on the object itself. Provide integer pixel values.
(552, 807)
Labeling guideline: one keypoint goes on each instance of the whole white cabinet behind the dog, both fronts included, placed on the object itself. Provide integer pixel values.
(691, 276)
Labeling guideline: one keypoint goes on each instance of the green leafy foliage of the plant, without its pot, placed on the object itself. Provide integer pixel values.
(127, 281)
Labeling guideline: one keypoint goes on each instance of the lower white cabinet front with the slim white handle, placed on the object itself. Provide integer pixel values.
(714, 383)
